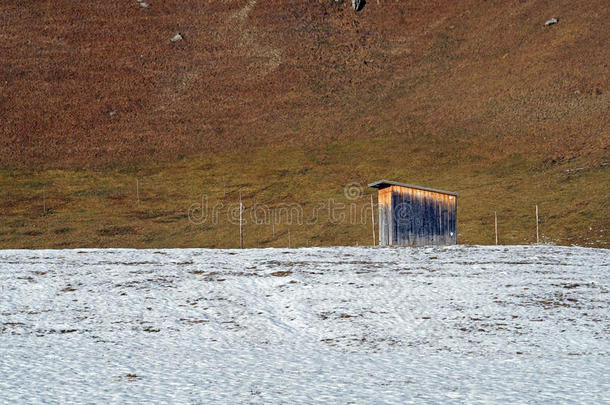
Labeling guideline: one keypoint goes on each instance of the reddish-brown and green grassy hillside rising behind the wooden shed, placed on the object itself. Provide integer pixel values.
(475, 96)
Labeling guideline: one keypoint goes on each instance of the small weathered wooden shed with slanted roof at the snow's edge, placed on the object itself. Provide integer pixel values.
(415, 216)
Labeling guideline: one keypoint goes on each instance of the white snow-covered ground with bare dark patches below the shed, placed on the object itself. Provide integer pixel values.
(524, 324)
